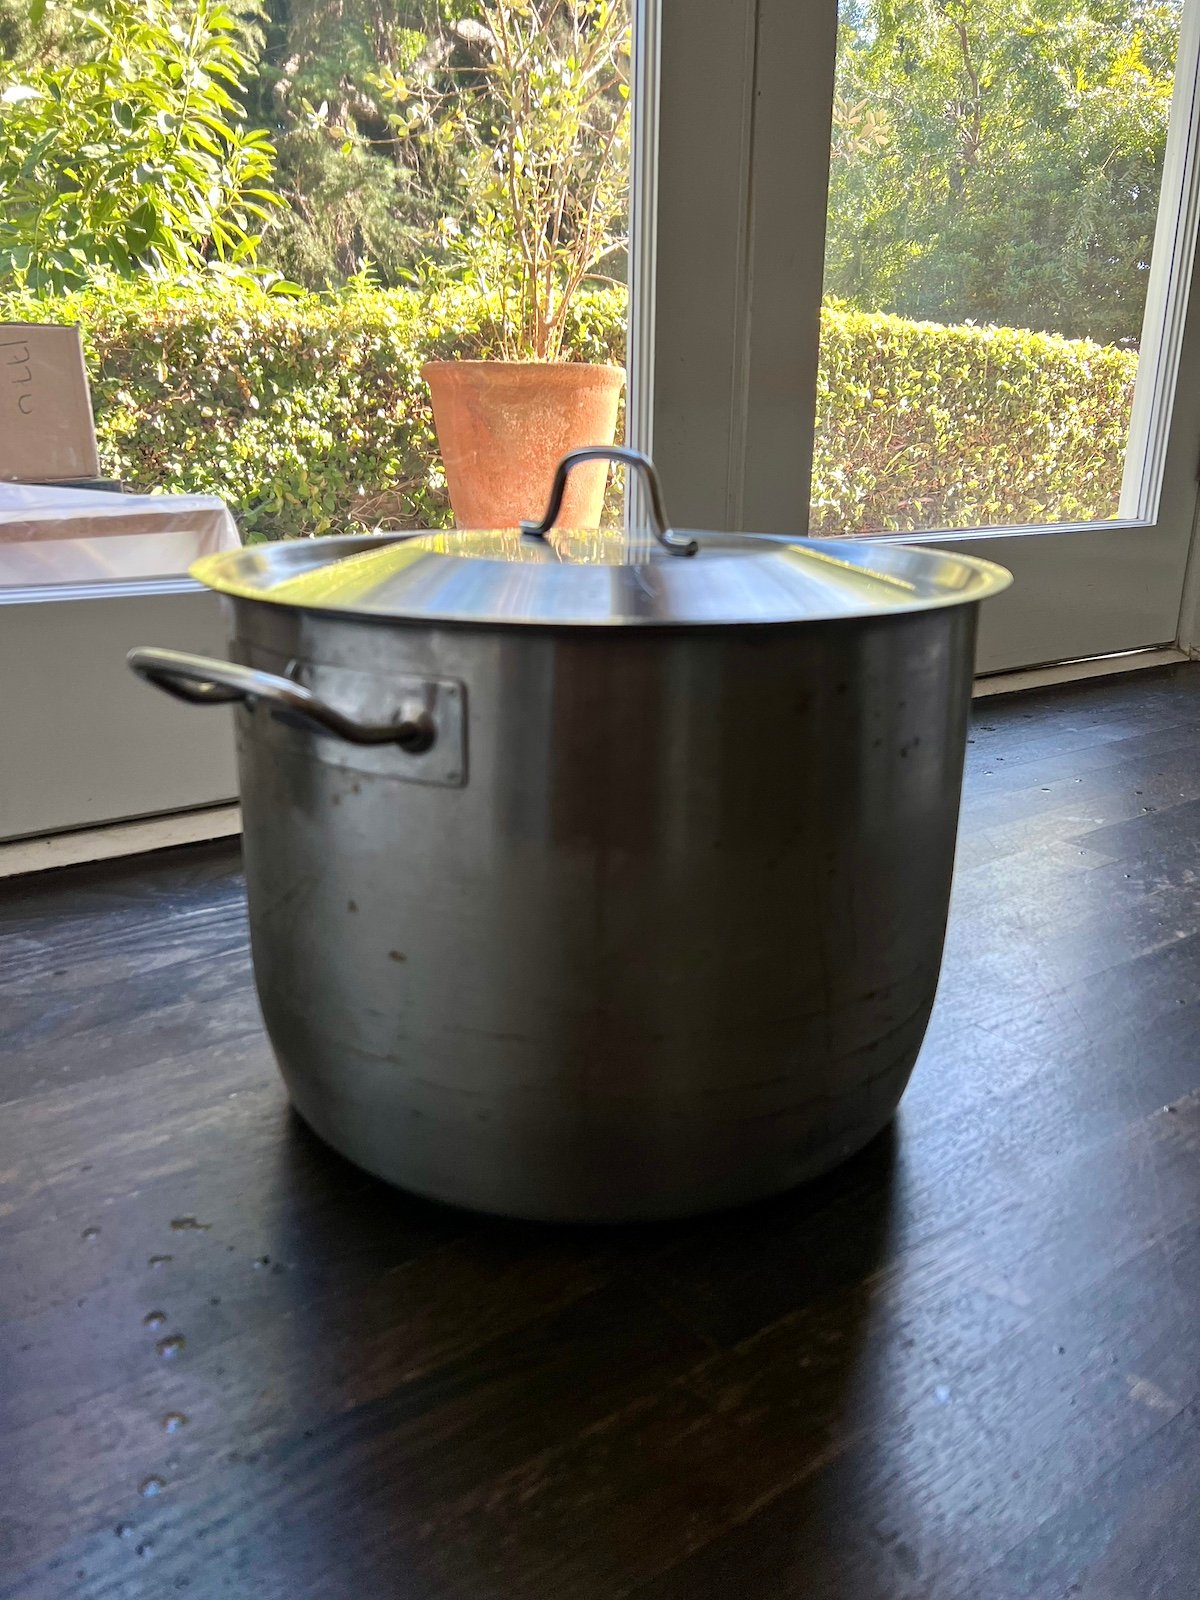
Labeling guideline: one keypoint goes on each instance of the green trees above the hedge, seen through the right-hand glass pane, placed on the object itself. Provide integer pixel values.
(1001, 164)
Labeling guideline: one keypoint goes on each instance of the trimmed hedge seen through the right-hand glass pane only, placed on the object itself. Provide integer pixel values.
(926, 426)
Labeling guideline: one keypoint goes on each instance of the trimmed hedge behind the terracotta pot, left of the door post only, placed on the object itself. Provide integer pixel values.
(308, 415)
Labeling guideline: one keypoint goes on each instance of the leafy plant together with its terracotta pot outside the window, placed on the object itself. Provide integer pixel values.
(545, 122)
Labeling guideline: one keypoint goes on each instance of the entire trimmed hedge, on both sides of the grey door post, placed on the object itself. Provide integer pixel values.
(310, 415)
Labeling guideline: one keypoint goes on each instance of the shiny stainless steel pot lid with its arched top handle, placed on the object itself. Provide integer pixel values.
(543, 575)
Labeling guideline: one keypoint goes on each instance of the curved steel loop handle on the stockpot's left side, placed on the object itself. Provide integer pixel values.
(202, 681)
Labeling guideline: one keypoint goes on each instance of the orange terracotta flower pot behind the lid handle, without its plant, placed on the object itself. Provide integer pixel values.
(503, 428)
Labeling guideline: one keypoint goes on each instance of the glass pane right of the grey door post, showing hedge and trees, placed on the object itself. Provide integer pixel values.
(994, 190)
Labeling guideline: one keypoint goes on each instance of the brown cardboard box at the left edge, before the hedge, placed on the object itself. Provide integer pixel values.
(46, 407)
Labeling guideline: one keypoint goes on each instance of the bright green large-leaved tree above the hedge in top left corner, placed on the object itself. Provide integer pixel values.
(132, 156)
